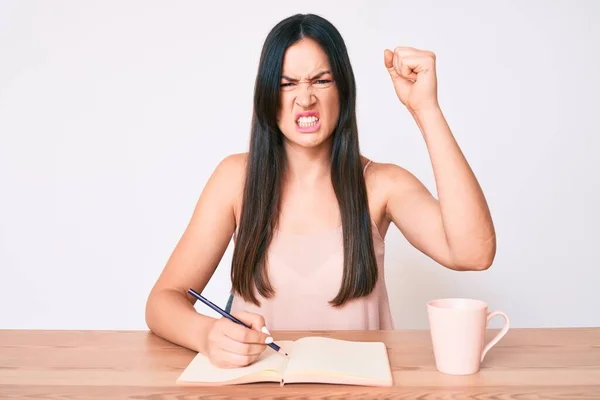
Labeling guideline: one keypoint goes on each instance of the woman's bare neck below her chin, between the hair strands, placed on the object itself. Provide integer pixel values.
(308, 165)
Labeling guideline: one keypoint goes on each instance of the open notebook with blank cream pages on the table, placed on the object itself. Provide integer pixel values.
(311, 359)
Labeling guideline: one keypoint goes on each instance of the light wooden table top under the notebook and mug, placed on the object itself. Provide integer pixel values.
(526, 364)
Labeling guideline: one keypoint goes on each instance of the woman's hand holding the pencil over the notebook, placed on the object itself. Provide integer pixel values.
(231, 345)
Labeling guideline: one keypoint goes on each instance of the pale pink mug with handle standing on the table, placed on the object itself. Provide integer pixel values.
(457, 328)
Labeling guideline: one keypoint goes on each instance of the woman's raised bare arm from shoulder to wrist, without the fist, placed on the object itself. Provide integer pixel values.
(456, 230)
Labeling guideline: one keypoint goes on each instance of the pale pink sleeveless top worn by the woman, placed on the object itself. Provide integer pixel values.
(305, 272)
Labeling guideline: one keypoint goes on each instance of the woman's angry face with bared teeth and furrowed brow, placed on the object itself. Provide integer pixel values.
(309, 105)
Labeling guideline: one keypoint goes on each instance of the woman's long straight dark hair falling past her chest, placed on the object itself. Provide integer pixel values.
(266, 165)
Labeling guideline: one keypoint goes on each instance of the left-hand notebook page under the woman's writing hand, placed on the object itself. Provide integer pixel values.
(267, 368)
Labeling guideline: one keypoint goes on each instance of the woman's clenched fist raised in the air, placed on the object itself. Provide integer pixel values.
(414, 77)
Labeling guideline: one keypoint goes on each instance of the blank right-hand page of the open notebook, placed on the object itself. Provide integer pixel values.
(334, 360)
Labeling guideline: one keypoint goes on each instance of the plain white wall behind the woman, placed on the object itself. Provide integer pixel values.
(113, 114)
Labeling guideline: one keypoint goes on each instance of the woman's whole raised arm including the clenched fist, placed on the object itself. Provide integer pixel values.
(456, 229)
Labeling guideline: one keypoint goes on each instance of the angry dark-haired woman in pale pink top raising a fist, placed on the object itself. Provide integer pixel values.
(308, 212)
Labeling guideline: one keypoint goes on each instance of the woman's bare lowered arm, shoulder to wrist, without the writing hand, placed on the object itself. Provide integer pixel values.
(169, 310)
